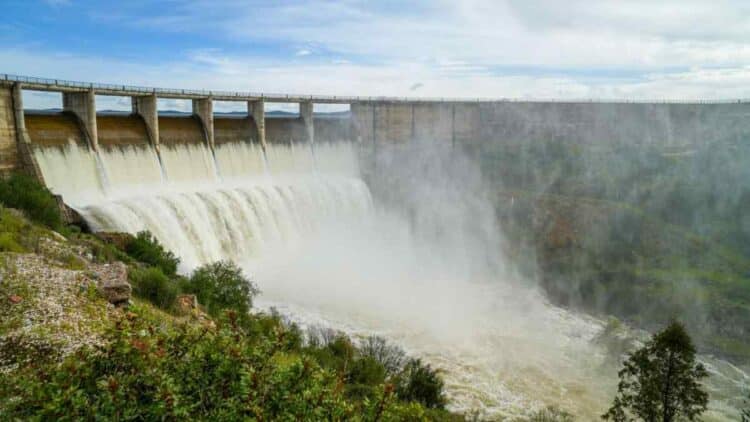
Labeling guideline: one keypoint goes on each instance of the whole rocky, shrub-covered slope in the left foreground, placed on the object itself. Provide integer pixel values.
(65, 353)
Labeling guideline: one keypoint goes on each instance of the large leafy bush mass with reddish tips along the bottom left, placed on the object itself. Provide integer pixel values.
(149, 371)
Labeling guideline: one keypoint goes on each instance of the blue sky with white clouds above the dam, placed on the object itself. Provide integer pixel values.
(598, 49)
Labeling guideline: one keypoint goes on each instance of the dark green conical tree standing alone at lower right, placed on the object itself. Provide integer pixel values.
(661, 381)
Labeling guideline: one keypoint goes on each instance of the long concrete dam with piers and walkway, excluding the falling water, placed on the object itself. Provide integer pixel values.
(371, 120)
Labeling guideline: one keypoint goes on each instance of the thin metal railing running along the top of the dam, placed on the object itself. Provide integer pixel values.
(63, 84)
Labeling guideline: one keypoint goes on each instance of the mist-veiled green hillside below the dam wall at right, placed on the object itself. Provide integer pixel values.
(641, 231)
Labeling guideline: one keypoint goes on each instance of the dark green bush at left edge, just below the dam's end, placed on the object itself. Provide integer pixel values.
(26, 193)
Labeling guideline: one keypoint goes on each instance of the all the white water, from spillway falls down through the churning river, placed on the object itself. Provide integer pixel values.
(303, 223)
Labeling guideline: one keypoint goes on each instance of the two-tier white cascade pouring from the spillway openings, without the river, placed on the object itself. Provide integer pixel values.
(207, 207)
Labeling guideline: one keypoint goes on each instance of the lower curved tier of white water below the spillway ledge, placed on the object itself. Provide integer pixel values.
(236, 223)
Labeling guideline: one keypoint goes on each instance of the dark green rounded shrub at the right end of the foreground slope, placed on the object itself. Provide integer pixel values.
(420, 383)
